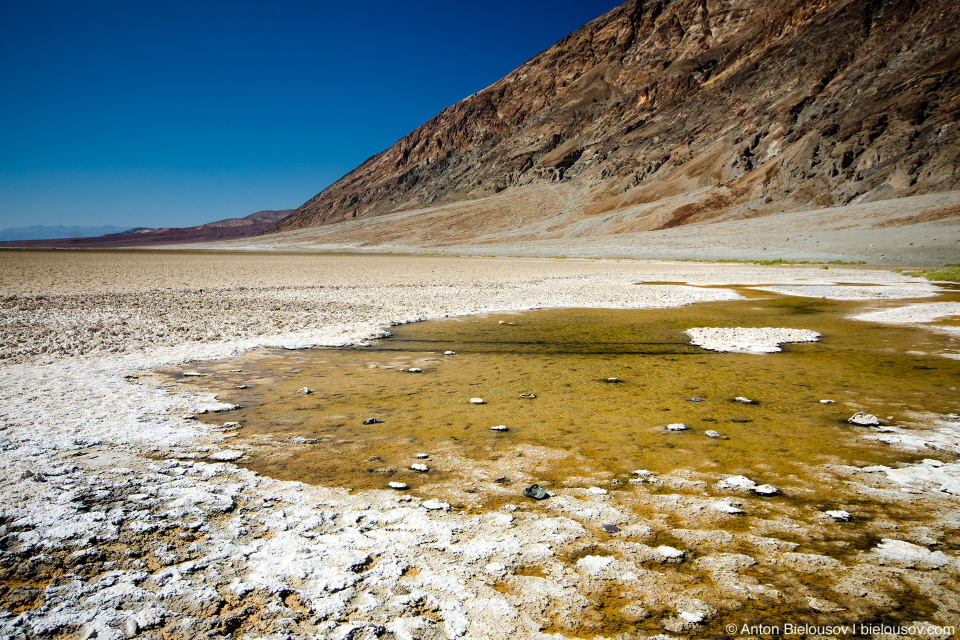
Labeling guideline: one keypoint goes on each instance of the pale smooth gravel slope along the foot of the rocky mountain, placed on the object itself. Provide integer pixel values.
(920, 230)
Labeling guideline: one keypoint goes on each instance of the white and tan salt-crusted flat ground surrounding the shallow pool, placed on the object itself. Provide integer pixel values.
(118, 522)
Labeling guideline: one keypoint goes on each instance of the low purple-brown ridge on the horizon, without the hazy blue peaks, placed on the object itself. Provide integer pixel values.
(228, 229)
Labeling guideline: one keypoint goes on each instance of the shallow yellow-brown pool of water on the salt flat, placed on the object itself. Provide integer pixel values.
(565, 357)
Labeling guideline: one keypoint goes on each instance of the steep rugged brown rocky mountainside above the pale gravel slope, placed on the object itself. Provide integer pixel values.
(690, 110)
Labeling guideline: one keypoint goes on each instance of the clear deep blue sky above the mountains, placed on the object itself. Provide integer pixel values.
(142, 113)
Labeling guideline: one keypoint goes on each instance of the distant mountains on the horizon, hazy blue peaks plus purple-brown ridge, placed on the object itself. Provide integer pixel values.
(107, 237)
